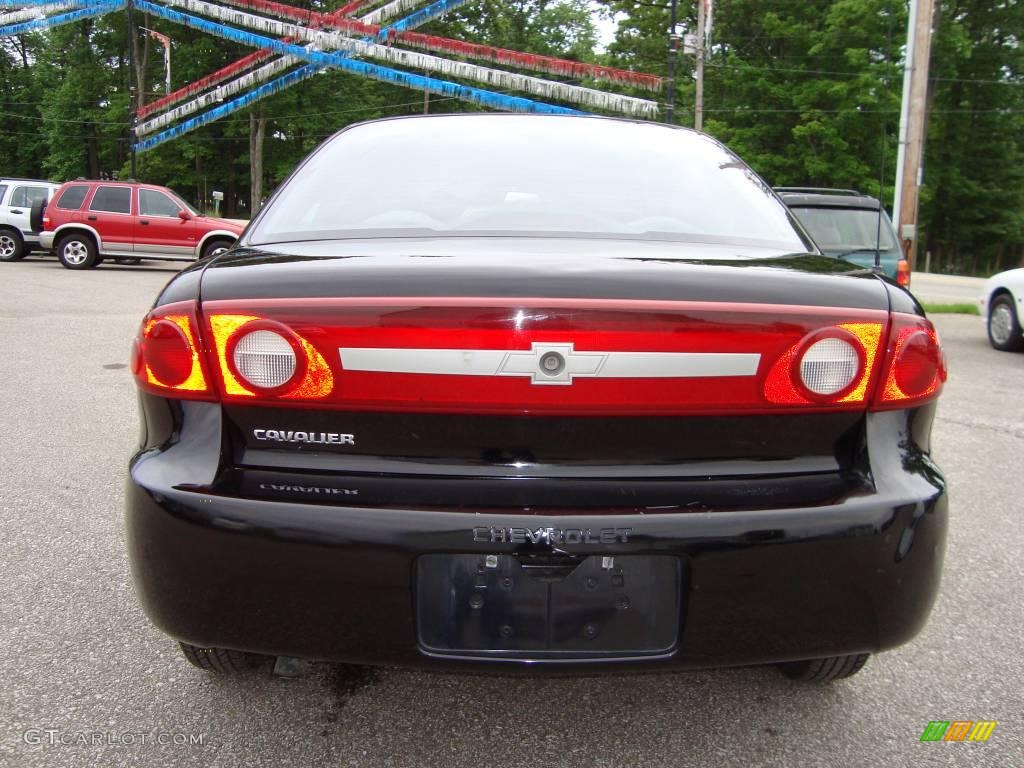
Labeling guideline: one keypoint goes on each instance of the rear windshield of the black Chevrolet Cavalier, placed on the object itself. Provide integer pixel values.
(526, 176)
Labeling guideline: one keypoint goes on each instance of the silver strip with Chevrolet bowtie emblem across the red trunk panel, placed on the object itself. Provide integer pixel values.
(549, 363)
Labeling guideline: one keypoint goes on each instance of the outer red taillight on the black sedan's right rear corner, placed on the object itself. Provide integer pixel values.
(916, 367)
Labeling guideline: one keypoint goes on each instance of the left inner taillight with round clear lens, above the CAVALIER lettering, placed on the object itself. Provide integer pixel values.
(258, 357)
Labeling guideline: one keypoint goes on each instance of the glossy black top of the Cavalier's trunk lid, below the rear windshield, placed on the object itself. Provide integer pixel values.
(541, 269)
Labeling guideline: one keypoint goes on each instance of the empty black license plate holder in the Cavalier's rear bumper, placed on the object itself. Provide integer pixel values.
(473, 606)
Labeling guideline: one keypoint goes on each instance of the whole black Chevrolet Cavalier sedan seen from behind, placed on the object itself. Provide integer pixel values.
(504, 393)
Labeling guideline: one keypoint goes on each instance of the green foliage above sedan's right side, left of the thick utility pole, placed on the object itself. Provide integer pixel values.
(772, 92)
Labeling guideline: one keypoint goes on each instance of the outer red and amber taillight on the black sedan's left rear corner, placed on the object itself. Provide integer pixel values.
(167, 358)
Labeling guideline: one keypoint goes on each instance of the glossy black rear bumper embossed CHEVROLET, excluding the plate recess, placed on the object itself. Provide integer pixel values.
(337, 582)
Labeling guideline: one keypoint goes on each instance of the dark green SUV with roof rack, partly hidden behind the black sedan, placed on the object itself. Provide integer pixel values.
(846, 225)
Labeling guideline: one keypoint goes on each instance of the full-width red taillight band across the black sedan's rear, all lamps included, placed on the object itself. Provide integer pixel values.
(477, 357)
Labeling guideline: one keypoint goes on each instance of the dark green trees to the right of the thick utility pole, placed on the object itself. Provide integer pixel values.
(973, 198)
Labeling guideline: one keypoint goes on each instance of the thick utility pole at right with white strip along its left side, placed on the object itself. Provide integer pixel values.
(914, 119)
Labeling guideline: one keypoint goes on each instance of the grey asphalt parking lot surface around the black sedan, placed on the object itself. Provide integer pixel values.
(79, 657)
